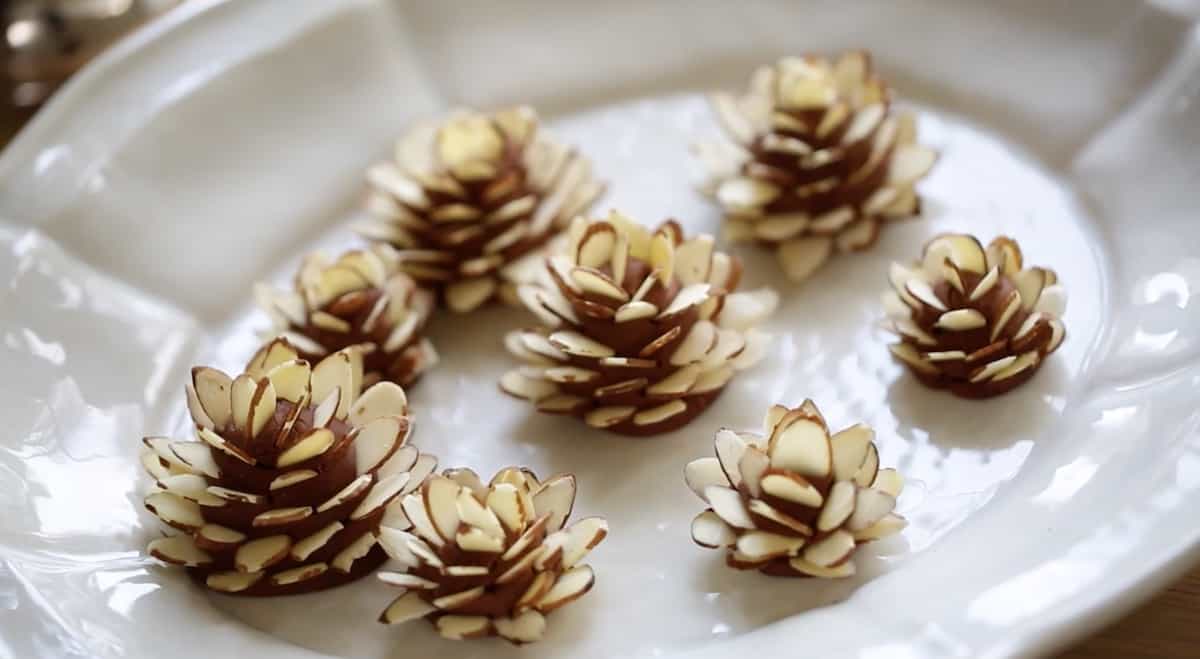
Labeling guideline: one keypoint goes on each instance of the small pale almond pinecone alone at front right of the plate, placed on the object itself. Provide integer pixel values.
(796, 502)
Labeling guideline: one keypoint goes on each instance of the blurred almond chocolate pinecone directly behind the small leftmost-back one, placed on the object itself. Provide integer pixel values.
(471, 201)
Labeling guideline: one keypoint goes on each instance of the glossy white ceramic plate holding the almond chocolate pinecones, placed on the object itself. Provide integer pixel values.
(215, 147)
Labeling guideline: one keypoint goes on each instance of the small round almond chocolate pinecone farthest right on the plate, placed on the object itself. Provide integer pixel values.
(975, 321)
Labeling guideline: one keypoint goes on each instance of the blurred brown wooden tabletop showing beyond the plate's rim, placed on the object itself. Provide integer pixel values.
(1166, 628)
